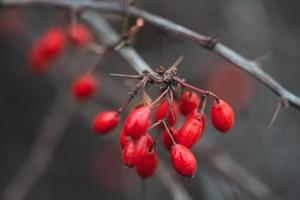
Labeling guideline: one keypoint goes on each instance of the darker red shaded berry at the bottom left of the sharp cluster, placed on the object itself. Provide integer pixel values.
(148, 164)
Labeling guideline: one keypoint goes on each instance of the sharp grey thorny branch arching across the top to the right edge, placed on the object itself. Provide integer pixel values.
(209, 43)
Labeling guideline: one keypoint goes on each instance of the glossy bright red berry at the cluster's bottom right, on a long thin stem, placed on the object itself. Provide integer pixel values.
(183, 160)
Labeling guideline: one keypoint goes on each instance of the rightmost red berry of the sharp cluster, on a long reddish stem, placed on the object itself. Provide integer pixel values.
(222, 116)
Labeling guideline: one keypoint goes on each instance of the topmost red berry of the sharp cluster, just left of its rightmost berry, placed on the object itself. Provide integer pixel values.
(189, 101)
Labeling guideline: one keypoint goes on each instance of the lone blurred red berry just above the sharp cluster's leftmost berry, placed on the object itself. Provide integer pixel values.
(84, 87)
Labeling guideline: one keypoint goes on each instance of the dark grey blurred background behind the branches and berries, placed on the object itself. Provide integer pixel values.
(87, 166)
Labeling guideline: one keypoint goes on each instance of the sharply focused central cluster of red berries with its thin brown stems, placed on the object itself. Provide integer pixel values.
(139, 148)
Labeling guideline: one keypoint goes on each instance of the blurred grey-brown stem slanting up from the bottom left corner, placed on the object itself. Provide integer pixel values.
(43, 148)
